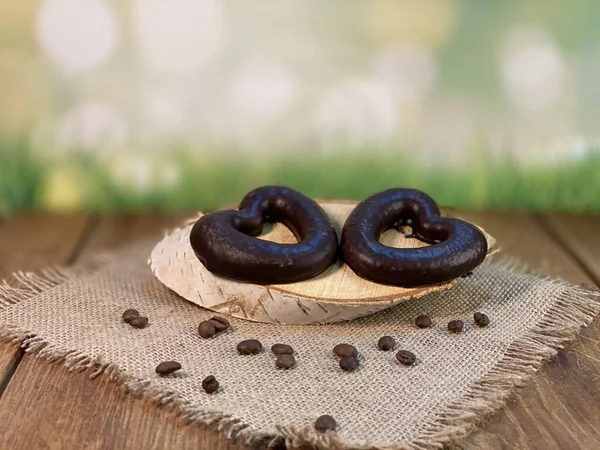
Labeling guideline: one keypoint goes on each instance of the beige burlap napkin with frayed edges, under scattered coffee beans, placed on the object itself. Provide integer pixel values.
(75, 315)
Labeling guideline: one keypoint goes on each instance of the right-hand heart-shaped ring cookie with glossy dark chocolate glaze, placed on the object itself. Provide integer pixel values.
(456, 246)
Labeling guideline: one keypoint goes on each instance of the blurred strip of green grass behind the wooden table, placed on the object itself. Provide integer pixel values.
(208, 181)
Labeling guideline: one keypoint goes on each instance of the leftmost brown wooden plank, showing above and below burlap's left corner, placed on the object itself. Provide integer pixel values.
(30, 242)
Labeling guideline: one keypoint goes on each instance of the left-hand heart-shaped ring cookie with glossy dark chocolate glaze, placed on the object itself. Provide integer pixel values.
(223, 240)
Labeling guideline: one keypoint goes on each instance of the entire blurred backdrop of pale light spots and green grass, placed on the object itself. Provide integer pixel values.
(188, 104)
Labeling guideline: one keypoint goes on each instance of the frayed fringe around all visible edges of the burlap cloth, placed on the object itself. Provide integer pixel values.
(574, 309)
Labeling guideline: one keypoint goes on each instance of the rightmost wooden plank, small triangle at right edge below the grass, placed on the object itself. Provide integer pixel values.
(581, 235)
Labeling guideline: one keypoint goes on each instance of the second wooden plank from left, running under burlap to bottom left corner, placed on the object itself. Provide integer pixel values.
(49, 407)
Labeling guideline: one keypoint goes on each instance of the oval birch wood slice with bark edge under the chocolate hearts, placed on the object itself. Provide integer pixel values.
(334, 296)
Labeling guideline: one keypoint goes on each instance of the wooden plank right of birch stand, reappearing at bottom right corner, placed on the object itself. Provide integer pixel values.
(560, 407)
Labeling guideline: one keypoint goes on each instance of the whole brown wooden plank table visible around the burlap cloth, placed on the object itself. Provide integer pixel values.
(44, 406)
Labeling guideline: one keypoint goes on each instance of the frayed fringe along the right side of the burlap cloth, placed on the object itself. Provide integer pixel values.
(574, 309)
